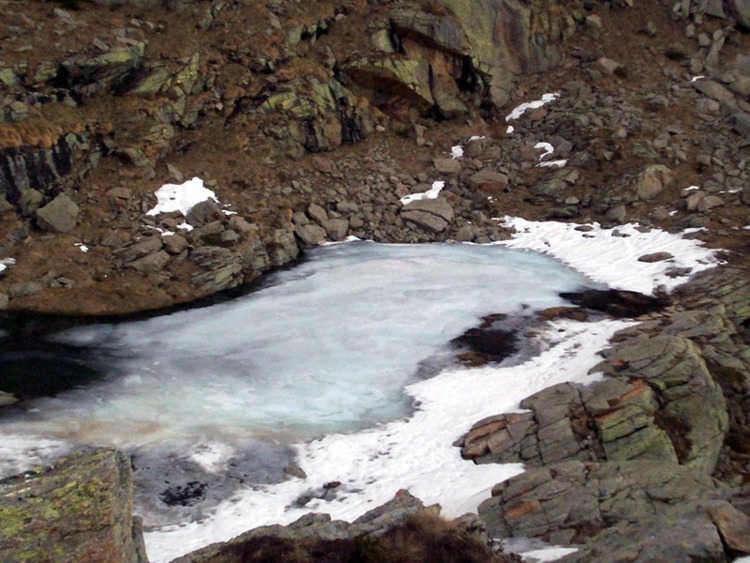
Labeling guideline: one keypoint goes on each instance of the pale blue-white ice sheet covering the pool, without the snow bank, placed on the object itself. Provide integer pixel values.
(328, 346)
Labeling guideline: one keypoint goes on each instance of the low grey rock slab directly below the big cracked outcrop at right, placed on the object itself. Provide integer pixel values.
(585, 498)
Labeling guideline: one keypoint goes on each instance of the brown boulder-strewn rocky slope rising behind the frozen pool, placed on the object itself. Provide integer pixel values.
(131, 95)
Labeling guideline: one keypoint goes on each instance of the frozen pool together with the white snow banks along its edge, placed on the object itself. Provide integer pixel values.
(325, 368)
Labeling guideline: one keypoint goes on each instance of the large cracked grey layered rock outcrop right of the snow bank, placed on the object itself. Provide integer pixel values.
(641, 464)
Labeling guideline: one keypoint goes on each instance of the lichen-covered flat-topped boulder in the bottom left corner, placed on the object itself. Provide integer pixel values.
(79, 509)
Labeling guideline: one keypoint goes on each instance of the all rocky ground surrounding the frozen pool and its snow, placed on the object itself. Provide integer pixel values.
(650, 463)
